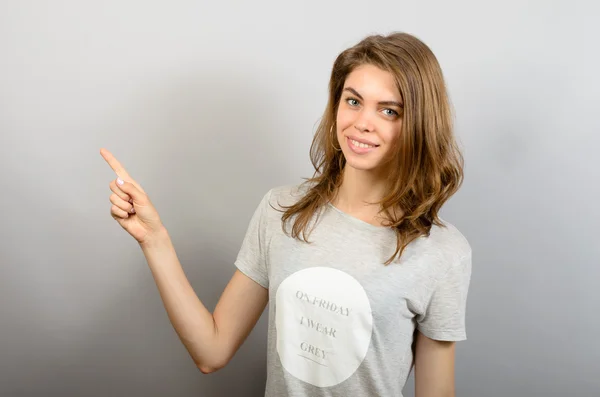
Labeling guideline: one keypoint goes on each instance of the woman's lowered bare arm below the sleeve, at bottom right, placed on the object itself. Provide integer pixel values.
(434, 367)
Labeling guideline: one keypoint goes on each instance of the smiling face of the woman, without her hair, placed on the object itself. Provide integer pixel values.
(369, 118)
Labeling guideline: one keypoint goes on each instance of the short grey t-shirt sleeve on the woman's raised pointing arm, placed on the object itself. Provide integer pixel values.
(252, 258)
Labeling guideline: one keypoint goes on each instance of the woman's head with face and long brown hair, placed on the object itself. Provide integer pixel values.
(387, 114)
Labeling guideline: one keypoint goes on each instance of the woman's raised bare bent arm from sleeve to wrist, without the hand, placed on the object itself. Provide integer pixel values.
(210, 339)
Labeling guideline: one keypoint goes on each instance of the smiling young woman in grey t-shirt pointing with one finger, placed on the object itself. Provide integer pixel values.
(362, 277)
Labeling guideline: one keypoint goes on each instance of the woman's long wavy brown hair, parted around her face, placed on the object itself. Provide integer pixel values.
(428, 166)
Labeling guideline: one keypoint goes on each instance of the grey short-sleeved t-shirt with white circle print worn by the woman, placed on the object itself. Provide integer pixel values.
(341, 322)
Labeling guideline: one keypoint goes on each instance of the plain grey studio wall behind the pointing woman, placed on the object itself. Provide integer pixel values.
(210, 105)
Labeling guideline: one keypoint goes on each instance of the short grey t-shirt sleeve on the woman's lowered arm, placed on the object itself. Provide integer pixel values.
(444, 315)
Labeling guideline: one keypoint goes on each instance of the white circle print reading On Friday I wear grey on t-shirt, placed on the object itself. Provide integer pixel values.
(324, 324)
